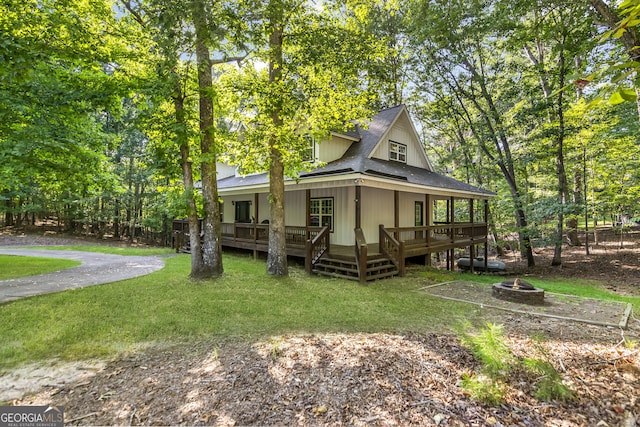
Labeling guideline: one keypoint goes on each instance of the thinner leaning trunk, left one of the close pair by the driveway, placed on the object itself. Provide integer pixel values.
(187, 177)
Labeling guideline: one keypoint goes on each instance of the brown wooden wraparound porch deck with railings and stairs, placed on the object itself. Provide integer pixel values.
(384, 256)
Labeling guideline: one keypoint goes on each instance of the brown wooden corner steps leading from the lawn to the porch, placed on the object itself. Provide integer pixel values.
(378, 267)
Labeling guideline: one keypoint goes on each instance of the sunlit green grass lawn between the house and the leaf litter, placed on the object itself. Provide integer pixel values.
(166, 307)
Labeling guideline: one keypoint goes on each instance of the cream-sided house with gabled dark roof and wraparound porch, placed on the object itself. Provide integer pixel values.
(374, 203)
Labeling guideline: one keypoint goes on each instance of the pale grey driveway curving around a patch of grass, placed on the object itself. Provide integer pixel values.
(96, 269)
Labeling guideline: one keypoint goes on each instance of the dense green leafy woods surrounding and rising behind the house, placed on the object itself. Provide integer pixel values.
(113, 113)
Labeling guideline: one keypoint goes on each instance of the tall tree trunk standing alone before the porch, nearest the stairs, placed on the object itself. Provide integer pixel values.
(277, 252)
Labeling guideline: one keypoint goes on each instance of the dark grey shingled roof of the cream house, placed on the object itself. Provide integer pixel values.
(356, 160)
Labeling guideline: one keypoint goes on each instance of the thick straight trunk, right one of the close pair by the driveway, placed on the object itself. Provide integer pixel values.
(212, 237)
